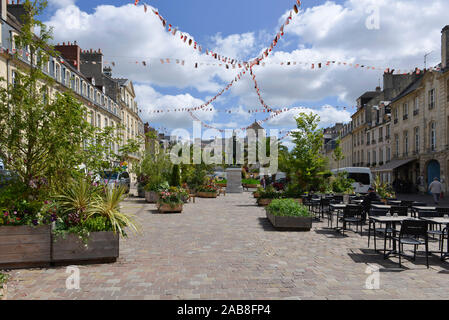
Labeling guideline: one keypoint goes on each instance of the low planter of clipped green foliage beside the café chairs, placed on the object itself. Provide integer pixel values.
(287, 214)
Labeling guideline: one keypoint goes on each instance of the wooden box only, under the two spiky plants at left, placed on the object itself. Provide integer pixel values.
(101, 247)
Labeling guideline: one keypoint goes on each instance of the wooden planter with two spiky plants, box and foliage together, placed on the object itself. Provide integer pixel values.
(89, 223)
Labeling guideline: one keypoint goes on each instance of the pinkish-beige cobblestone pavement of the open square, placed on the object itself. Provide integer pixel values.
(225, 248)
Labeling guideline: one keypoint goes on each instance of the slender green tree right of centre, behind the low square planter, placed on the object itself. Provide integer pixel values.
(307, 162)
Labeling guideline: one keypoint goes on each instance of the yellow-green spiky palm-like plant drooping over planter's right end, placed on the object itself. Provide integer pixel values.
(109, 207)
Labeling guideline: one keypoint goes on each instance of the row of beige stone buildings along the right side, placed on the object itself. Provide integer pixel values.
(402, 131)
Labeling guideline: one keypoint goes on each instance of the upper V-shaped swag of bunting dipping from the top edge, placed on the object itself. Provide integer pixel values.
(231, 61)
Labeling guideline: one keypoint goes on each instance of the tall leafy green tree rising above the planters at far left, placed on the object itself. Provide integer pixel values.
(39, 137)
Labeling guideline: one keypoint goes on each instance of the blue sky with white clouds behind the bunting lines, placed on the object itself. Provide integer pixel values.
(322, 31)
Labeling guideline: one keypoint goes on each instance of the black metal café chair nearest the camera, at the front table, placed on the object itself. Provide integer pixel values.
(412, 232)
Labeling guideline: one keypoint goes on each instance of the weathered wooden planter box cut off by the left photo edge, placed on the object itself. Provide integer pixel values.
(25, 246)
